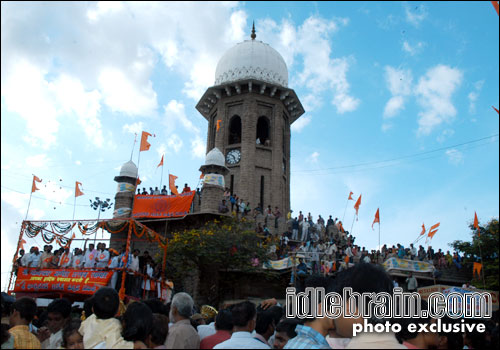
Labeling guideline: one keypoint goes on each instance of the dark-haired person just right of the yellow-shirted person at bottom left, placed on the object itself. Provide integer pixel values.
(58, 315)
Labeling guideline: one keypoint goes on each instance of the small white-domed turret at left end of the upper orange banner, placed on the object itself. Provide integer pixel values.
(124, 198)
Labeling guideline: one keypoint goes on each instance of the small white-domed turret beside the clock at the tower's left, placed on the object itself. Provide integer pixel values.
(213, 181)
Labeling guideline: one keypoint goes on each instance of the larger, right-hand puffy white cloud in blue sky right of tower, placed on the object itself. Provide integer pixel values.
(434, 92)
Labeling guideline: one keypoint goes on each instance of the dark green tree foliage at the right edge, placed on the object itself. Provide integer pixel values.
(486, 242)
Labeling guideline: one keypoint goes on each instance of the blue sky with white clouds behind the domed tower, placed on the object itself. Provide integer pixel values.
(379, 81)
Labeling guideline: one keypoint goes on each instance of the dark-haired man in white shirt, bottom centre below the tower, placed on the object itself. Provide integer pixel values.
(244, 320)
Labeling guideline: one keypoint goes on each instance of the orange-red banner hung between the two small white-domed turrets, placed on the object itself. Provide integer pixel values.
(162, 206)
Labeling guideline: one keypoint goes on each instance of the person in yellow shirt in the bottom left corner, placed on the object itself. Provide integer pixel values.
(22, 313)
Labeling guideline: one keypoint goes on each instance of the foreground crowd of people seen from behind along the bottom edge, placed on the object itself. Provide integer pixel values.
(106, 322)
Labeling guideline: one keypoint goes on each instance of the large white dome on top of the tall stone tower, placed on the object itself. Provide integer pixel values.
(252, 59)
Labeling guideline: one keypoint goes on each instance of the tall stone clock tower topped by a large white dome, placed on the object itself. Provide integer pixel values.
(255, 107)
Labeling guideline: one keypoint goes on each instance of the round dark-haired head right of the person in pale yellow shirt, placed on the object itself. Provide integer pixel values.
(137, 322)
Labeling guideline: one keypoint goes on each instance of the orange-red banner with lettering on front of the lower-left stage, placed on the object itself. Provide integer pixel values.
(56, 280)
